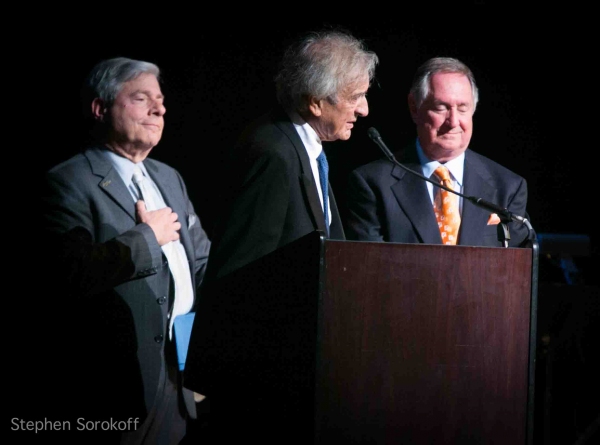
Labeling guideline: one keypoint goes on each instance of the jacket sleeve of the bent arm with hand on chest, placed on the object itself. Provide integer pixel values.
(75, 258)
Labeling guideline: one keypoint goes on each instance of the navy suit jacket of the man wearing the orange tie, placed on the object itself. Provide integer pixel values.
(387, 203)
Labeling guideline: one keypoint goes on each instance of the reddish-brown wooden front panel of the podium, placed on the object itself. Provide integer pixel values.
(423, 344)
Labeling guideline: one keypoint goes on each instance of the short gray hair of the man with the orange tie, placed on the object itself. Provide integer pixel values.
(420, 85)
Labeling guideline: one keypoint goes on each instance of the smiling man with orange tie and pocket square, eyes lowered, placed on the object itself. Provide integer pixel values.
(388, 203)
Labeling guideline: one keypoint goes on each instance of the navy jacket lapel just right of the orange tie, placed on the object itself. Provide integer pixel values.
(477, 182)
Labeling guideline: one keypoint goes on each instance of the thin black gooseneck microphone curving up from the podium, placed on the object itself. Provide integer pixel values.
(504, 214)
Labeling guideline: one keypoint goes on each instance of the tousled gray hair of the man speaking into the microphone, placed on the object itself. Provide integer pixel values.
(322, 64)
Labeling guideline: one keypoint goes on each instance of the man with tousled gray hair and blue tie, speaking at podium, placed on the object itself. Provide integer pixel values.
(276, 196)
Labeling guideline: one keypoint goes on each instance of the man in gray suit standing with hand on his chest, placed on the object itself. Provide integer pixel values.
(128, 260)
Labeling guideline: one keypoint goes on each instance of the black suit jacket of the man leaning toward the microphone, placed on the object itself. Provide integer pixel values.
(273, 199)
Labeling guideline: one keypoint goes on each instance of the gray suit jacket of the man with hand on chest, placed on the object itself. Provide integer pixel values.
(113, 283)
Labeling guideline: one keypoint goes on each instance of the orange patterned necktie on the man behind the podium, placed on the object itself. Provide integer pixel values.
(445, 207)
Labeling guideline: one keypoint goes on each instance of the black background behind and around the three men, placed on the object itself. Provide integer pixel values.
(536, 116)
